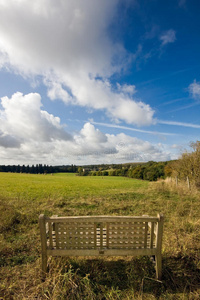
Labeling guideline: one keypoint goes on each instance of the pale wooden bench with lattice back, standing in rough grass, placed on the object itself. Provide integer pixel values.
(102, 236)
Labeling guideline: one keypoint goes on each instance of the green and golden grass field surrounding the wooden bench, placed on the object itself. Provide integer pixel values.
(23, 197)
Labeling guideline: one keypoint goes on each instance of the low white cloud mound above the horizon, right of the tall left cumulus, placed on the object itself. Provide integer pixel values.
(93, 146)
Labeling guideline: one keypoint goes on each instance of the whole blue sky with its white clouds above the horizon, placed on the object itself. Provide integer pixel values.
(89, 81)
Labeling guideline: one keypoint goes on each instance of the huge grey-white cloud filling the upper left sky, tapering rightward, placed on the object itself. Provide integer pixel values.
(70, 48)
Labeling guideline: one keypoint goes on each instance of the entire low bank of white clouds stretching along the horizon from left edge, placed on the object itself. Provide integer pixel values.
(31, 135)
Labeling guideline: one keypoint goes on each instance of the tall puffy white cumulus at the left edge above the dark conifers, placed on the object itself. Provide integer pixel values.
(21, 119)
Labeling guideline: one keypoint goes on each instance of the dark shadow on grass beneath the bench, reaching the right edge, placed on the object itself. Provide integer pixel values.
(180, 275)
